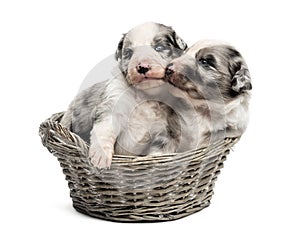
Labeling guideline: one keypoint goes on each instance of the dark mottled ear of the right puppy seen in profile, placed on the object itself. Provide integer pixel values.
(241, 80)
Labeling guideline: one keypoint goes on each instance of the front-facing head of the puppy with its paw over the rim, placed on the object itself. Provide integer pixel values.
(145, 50)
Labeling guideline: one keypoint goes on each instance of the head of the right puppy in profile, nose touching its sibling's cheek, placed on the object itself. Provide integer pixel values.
(209, 69)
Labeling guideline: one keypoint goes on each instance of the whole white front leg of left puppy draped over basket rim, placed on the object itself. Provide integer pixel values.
(102, 144)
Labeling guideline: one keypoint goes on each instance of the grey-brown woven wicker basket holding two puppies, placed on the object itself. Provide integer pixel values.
(136, 188)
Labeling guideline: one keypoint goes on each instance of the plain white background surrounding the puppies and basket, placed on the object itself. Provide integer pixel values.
(48, 47)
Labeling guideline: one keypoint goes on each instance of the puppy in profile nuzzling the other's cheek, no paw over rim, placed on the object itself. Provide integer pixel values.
(213, 78)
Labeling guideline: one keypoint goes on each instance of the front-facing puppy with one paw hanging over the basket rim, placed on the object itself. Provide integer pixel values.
(125, 115)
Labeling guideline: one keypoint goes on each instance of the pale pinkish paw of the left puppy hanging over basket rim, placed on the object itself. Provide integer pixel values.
(100, 156)
